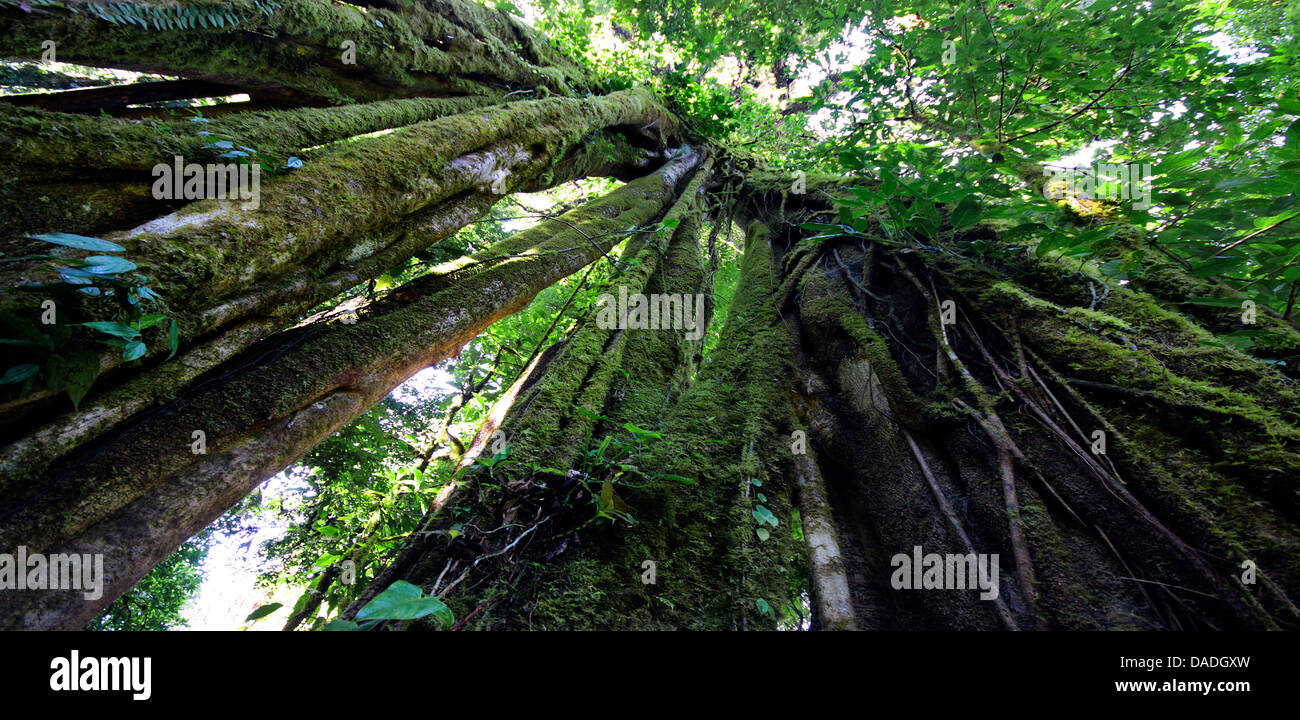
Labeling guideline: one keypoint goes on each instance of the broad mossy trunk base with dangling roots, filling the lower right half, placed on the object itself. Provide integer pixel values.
(976, 433)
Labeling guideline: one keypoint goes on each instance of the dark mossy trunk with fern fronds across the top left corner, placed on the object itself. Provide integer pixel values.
(441, 49)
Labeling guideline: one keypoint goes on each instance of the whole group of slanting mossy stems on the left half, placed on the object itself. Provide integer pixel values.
(382, 181)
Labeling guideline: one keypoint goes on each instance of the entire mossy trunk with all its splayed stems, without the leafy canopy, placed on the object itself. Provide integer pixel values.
(848, 411)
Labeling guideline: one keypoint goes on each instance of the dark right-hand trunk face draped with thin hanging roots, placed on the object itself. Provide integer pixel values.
(1097, 536)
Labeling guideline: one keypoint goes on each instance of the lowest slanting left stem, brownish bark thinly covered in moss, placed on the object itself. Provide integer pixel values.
(142, 491)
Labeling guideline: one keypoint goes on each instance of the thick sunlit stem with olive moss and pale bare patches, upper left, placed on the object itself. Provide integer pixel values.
(319, 212)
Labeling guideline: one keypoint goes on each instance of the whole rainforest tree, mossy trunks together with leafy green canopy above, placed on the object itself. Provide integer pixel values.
(931, 339)
